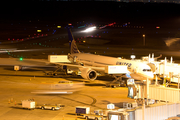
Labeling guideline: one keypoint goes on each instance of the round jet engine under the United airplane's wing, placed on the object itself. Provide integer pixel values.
(88, 74)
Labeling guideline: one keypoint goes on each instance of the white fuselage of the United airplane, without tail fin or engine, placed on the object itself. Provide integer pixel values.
(138, 69)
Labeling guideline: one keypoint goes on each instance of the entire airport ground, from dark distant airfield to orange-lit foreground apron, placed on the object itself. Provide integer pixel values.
(18, 85)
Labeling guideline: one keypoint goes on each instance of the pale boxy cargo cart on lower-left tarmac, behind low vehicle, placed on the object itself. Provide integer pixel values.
(28, 104)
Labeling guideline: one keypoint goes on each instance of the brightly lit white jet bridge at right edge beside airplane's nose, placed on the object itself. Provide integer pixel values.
(166, 70)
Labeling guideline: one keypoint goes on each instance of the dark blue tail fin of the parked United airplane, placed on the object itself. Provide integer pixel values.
(72, 43)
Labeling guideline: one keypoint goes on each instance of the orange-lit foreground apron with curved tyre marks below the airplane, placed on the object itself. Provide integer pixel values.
(18, 85)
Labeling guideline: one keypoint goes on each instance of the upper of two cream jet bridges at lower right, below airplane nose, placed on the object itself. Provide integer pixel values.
(141, 90)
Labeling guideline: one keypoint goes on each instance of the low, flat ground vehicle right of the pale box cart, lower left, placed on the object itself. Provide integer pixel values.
(50, 107)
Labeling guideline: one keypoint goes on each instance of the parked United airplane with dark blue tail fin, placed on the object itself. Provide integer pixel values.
(90, 65)
